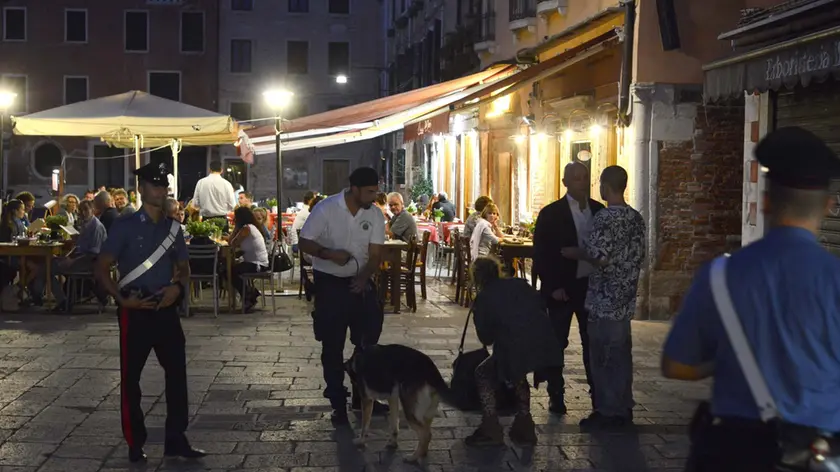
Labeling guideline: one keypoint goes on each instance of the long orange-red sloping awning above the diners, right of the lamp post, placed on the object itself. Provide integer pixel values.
(364, 115)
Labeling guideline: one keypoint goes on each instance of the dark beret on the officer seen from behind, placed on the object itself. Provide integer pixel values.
(796, 158)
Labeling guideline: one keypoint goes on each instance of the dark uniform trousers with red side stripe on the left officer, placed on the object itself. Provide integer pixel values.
(140, 332)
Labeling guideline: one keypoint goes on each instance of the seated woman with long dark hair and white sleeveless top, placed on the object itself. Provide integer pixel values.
(247, 237)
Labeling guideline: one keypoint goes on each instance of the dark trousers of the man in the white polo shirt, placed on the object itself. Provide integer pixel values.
(336, 310)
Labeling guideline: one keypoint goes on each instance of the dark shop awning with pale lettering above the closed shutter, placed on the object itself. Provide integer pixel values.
(784, 65)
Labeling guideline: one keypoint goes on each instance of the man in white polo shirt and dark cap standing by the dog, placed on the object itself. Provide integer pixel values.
(344, 235)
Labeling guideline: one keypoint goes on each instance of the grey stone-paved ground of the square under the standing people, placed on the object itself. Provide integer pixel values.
(256, 404)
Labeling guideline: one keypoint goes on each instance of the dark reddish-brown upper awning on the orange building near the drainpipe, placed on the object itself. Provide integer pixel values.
(543, 69)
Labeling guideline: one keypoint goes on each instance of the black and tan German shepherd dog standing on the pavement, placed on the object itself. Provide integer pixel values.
(399, 374)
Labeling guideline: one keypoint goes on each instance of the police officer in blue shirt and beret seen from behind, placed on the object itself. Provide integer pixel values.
(785, 289)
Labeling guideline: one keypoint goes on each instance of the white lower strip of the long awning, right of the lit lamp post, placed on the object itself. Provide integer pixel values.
(382, 126)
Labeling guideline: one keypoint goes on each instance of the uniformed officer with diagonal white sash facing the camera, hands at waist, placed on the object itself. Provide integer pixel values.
(151, 255)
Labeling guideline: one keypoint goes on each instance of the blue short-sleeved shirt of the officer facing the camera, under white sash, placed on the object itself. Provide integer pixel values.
(133, 238)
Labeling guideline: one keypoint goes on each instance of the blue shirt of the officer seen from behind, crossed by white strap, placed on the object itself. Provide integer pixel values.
(786, 291)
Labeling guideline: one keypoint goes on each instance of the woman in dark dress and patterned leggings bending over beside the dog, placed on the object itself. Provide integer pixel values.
(510, 316)
